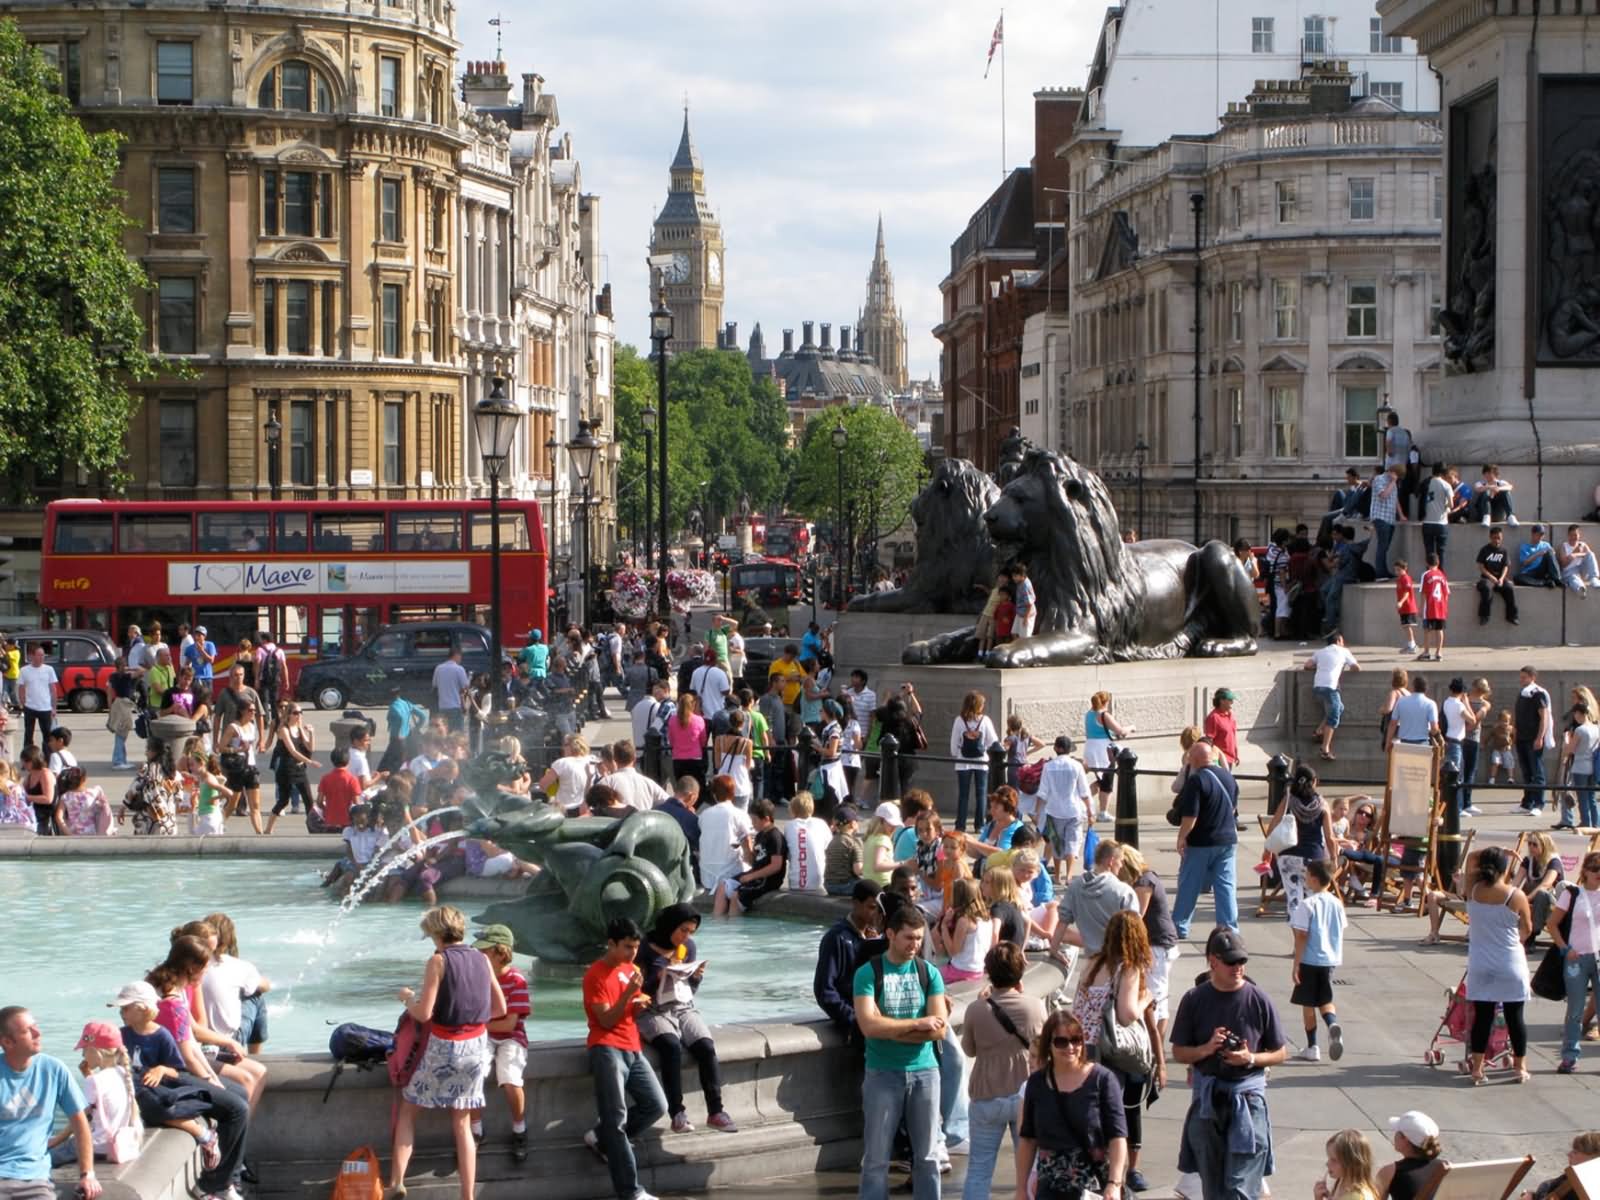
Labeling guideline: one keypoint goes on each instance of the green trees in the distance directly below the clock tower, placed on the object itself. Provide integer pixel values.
(726, 431)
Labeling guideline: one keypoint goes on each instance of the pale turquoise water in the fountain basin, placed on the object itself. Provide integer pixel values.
(86, 927)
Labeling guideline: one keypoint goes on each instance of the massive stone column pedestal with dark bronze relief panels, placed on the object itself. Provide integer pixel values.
(1522, 199)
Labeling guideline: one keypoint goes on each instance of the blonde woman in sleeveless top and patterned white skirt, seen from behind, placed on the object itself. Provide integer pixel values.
(460, 998)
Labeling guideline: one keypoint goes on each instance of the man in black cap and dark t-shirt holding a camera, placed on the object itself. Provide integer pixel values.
(1228, 1033)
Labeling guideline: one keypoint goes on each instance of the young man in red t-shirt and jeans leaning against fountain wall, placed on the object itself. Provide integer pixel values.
(612, 999)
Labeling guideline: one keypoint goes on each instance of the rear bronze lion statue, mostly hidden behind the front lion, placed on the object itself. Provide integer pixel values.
(956, 564)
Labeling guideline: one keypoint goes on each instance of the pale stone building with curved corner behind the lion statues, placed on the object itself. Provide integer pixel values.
(1319, 257)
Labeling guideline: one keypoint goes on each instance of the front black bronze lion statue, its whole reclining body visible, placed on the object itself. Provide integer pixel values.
(1100, 599)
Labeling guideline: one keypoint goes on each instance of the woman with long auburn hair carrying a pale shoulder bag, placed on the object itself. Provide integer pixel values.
(1119, 977)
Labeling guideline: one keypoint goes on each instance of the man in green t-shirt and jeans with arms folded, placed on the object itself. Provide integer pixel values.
(902, 1014)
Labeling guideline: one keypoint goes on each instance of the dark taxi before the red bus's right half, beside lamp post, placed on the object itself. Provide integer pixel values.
(402, 655)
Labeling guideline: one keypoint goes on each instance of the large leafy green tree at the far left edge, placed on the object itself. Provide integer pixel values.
(71, 334)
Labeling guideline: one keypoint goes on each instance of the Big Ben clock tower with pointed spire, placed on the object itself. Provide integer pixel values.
(689, 231)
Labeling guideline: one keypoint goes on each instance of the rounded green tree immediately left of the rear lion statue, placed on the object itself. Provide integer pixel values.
(882, 470)
